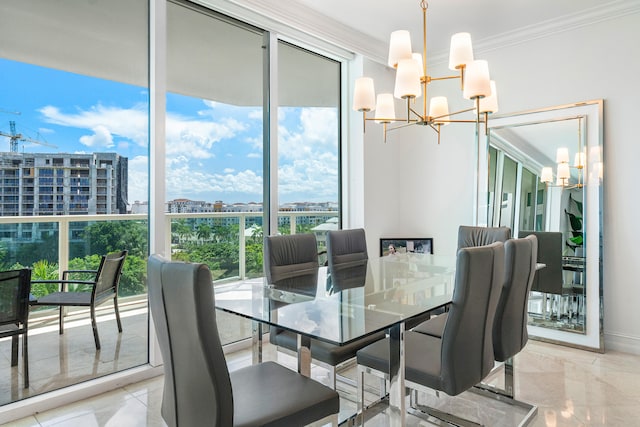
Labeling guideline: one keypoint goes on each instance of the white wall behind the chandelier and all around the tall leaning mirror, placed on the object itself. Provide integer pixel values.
(435, 184)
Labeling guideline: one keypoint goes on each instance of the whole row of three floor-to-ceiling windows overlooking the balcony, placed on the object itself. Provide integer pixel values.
(74, 115)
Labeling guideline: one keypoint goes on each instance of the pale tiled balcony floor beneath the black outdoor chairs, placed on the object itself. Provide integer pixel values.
(57, 361)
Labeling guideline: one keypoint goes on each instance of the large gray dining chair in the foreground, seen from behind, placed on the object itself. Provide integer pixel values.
(198, 387)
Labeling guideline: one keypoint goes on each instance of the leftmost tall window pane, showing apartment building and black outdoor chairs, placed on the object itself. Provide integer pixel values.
(73, 161)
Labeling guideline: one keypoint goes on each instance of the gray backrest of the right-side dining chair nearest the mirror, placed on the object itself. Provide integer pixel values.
(510, 324)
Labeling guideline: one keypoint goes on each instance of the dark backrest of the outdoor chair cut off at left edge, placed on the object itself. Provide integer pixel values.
(15, 286)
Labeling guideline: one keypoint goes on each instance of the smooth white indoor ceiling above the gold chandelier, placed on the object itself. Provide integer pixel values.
(487, 20)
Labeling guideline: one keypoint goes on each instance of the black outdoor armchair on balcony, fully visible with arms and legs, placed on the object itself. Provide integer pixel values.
(104, 287)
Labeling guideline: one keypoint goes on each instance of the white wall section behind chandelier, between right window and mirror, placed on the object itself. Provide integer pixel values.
(410, 180)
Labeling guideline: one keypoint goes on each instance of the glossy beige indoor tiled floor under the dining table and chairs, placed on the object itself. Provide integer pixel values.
(570, 387)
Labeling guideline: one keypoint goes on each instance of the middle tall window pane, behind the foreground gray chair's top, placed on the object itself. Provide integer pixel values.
(214, 146)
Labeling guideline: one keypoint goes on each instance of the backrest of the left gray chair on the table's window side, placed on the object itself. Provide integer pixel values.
(288, 257)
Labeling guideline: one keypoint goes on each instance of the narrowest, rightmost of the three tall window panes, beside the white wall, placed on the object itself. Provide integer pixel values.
(308, 142)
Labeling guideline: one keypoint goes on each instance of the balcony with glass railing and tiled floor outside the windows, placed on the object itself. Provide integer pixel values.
(57, 361)
